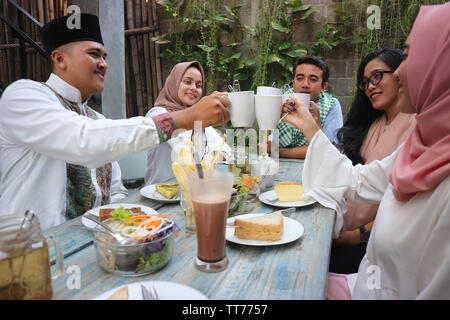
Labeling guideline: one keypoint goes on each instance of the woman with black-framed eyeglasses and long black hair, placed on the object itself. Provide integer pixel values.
(374, 129)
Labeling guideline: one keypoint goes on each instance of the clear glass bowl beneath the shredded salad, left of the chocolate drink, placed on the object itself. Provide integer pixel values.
(133, 259)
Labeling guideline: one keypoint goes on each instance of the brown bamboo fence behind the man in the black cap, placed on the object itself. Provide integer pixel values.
(142, 65)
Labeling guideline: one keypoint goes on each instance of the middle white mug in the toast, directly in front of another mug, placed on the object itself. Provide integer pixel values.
(268, 111)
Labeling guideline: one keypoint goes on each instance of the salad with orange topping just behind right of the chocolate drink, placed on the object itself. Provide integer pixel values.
(245, 191)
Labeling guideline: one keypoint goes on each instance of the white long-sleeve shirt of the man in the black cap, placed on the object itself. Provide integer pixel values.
(38, 136)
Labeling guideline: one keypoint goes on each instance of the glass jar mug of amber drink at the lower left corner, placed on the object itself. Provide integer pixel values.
(24, 259)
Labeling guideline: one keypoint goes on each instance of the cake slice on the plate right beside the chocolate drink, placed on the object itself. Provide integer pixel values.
(265, 228)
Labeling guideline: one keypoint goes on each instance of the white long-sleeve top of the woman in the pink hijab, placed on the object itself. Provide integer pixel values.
(408, 254)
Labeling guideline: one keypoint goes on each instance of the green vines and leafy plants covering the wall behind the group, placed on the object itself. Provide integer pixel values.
(211, 32)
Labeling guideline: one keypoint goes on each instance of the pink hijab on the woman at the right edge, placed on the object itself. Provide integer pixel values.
(424, 161)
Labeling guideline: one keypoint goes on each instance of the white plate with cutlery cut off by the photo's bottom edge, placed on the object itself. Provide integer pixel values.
(166, 291)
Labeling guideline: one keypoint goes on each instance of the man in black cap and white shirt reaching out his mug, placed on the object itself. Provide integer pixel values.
(58, 156)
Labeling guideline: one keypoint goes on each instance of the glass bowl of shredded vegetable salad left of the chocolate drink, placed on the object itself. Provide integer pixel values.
(151, 249)
